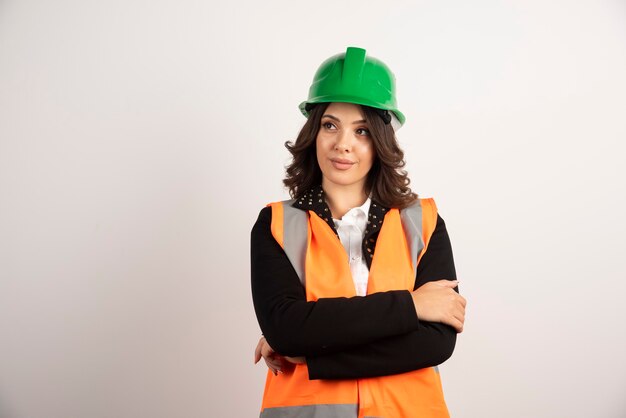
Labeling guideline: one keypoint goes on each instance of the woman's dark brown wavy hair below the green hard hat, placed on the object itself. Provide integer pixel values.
(387, 182)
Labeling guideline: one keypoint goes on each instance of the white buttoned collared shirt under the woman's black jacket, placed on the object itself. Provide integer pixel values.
(351, 229)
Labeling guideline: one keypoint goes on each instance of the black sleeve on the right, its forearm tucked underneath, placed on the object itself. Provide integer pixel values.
(431, 344)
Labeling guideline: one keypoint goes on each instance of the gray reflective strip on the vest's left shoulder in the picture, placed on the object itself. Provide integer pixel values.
(295, 228)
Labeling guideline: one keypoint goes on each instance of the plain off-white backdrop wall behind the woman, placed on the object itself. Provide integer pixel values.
(139, 140)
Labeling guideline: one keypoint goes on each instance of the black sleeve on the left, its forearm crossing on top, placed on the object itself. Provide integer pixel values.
(295, 327)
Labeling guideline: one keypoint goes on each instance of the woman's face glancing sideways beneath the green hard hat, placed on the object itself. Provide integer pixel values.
(345, 152)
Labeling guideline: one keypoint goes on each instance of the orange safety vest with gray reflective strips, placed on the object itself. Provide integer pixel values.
(321, 262)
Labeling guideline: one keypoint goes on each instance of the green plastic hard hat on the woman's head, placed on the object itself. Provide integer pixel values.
(353, 77)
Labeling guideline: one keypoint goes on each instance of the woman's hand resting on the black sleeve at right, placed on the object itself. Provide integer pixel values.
(438, 302)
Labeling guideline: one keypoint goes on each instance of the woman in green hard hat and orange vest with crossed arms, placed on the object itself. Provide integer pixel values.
(353, 281)
